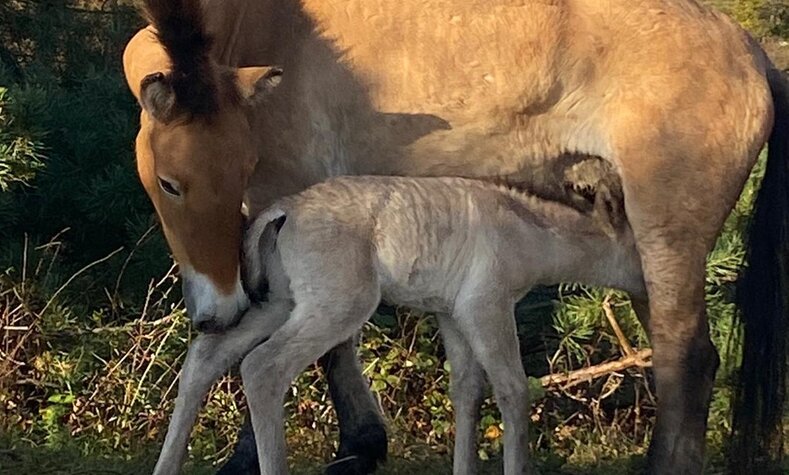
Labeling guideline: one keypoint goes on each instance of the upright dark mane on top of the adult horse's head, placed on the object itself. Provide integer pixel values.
(181, 31)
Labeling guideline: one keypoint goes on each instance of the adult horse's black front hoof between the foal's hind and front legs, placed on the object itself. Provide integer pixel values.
(360, 453)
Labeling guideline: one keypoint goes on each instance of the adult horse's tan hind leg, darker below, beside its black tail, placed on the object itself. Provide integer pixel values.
(677, 197)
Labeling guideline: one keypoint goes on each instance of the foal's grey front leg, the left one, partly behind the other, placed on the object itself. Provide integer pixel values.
(467, 382)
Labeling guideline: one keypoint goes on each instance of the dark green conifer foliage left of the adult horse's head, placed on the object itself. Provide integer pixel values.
(67, 126)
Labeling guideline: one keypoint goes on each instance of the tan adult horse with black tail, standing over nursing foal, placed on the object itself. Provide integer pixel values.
(677, 98)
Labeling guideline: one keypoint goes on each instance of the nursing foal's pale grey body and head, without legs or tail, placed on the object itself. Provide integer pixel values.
(429, 237)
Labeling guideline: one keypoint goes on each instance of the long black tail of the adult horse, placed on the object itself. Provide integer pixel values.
(763, 296)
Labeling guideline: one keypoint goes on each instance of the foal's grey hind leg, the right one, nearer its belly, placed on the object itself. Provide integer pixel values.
(267, 372)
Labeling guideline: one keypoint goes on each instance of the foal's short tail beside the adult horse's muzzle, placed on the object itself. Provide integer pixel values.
(259, 245)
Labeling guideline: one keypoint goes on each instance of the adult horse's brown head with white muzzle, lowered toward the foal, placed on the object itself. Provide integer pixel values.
(195, 152)
